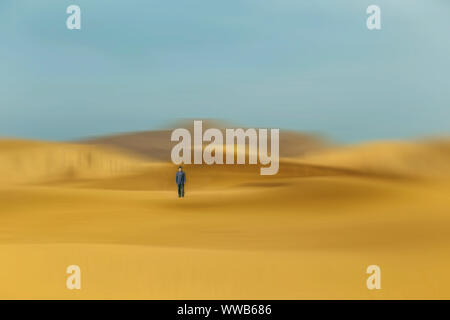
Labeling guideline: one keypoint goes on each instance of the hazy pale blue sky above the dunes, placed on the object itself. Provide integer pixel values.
(303, 65)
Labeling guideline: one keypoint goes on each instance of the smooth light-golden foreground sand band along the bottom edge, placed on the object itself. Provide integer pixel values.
(125, 272)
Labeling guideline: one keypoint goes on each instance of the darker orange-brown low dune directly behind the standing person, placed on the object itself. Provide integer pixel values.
(160, 176)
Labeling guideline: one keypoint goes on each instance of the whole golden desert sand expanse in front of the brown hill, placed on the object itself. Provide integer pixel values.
(307, 233)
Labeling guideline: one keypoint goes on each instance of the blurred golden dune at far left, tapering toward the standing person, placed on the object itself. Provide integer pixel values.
(25, 161)
